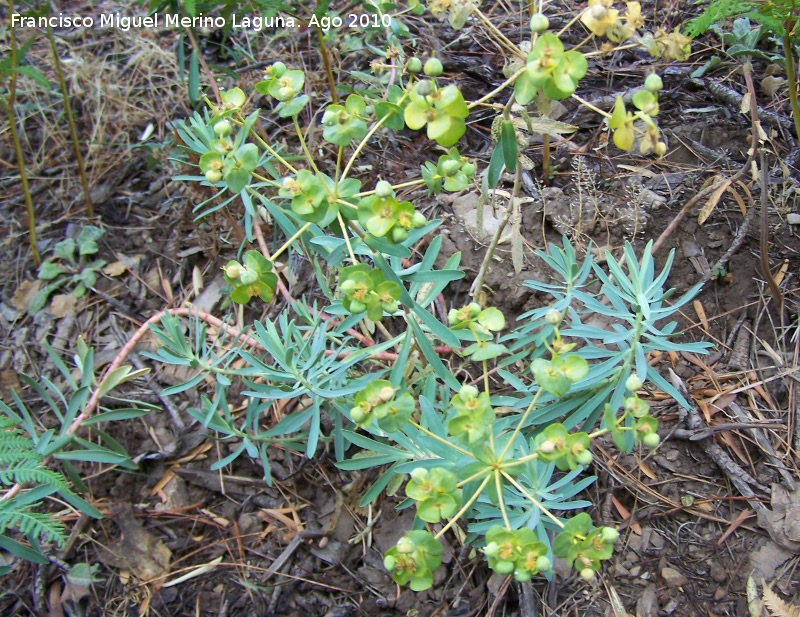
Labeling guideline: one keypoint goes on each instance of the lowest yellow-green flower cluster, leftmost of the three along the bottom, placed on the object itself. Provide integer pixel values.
(413, 559)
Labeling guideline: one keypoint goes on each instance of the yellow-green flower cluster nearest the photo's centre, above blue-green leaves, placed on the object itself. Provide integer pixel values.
(366, 289)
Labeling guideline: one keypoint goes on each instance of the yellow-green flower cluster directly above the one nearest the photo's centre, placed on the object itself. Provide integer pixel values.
(383, 216)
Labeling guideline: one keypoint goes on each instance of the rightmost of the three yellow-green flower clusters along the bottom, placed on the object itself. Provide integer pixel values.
(583, 545)
